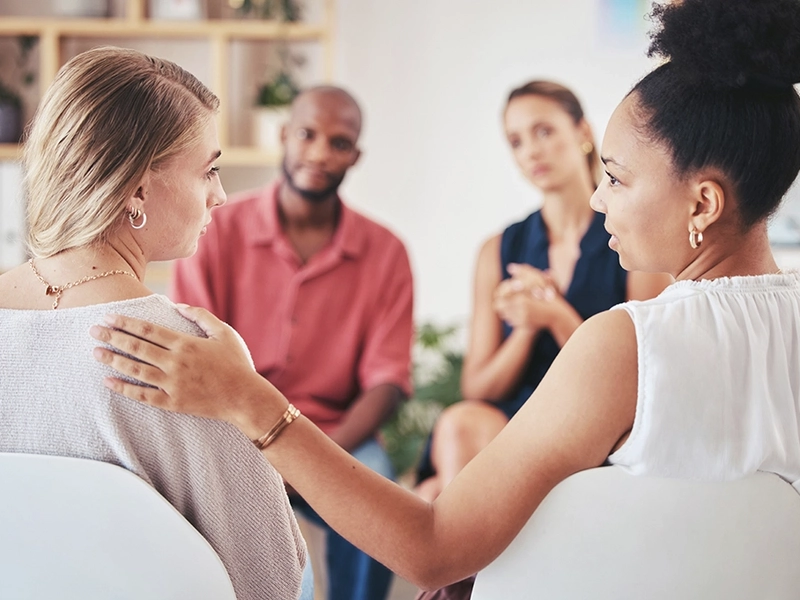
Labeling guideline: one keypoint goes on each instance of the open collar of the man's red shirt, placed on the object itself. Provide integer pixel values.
(349, 238)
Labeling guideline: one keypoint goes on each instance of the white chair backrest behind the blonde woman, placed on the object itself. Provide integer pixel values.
(82, 529)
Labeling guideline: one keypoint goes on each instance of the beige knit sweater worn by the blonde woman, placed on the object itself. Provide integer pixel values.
(52, 401)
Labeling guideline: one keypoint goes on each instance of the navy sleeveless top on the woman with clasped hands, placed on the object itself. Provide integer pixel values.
(598, 283)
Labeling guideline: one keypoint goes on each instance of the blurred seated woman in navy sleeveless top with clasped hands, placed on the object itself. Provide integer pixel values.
(534, 283)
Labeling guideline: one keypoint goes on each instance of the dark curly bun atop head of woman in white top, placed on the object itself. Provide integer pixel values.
(730, 43)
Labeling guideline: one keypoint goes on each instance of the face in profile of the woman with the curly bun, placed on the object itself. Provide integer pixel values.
(646, 202)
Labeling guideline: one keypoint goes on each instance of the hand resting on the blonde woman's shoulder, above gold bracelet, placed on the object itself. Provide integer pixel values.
(209, 377)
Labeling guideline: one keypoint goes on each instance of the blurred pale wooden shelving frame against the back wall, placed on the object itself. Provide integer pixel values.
(218, 33)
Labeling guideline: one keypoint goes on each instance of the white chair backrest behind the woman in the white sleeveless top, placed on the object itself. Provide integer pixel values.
(604, 534)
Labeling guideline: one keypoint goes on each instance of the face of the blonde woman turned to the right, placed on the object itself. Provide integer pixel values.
(179, 197)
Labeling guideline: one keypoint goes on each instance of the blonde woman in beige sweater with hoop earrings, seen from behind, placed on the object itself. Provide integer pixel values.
(120, 171)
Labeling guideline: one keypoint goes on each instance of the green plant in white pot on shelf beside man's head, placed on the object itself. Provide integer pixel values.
(272, 103)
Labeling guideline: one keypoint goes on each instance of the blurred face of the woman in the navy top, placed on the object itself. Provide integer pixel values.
(546, 141)
